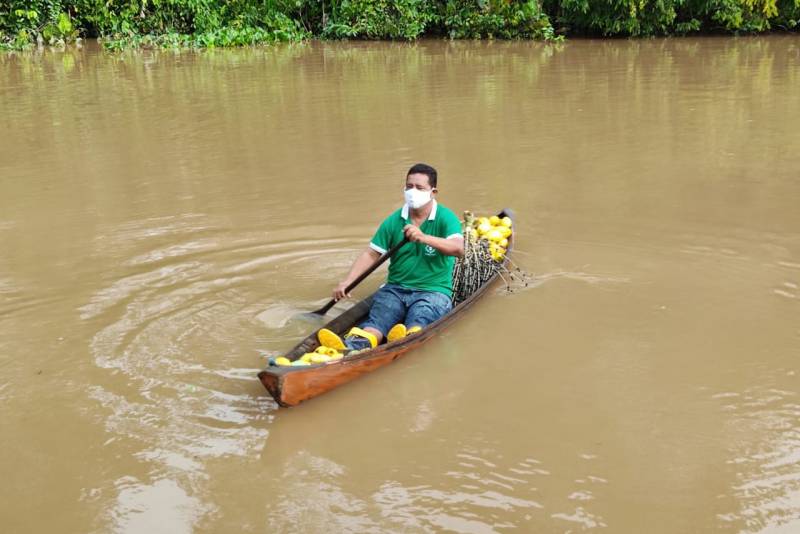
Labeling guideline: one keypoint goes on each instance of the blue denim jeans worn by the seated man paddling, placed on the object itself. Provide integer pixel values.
(395, 304)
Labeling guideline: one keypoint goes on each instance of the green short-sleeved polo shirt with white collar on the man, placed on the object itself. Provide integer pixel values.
(418, 266)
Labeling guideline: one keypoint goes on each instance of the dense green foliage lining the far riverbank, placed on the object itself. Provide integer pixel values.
(208, 23)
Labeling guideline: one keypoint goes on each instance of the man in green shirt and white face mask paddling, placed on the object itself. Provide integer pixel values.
(419, 288)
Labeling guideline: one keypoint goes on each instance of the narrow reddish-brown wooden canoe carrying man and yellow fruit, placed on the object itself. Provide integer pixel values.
(290, 385)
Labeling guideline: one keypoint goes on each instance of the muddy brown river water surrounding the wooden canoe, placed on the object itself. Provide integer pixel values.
(165, 216)
